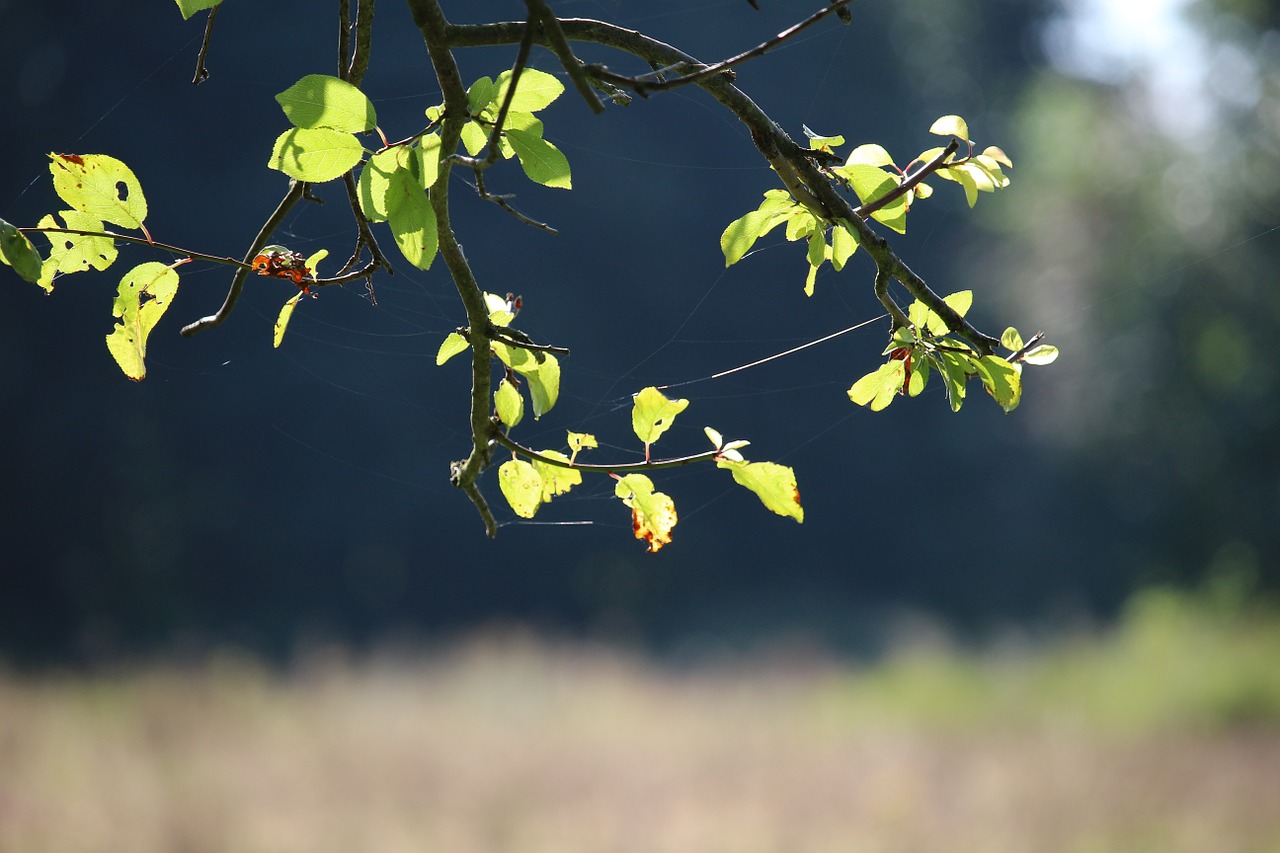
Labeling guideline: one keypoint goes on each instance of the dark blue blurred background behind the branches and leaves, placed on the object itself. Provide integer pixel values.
(275, 499)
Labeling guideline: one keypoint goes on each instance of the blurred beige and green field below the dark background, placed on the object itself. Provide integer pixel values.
(1163, 736)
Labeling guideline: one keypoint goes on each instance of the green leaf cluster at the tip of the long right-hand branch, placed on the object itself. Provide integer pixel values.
(927, 346)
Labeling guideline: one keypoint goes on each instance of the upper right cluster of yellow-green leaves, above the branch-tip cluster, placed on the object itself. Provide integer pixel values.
(871, 175)
